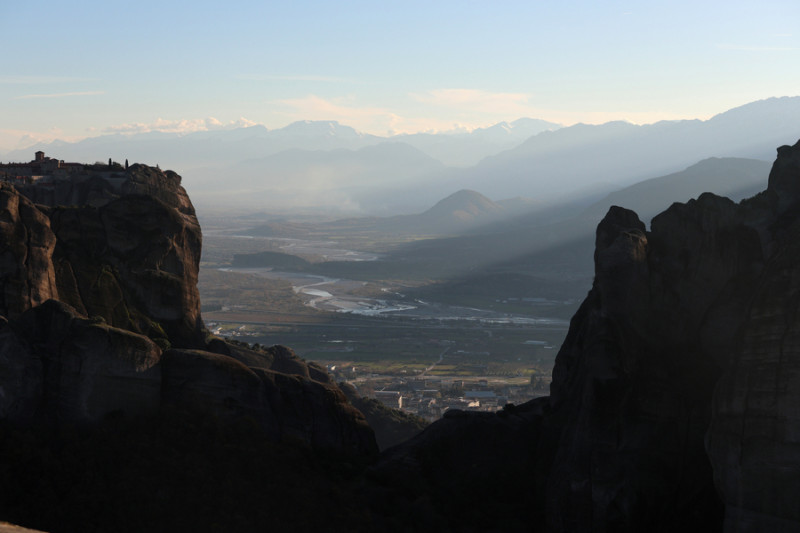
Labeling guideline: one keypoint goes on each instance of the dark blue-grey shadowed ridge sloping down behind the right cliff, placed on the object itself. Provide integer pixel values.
(533, 255)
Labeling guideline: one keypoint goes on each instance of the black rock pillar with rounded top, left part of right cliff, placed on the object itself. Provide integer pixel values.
(630, 396)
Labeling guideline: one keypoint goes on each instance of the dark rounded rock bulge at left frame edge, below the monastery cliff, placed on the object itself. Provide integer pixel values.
(64, 367)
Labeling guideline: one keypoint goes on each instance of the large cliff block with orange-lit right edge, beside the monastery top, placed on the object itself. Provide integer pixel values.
(130, 256)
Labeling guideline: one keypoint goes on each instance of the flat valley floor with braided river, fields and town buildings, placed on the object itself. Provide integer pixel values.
(409, 342)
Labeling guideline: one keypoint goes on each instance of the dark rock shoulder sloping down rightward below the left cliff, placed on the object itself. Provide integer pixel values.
(287, 405)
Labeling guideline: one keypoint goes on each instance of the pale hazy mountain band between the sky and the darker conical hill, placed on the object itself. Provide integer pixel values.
(327, 168)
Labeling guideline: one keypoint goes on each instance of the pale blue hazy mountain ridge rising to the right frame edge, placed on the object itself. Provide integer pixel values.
(617, 154)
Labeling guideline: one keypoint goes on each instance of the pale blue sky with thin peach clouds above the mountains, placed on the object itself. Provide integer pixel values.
(72, 70)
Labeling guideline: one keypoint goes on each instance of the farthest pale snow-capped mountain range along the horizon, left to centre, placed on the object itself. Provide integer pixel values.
(216, 148)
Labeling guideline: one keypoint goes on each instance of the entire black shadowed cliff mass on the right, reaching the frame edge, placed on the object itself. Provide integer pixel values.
(674, 401)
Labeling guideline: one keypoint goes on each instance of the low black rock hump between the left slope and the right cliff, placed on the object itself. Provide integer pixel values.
(468, 471)
